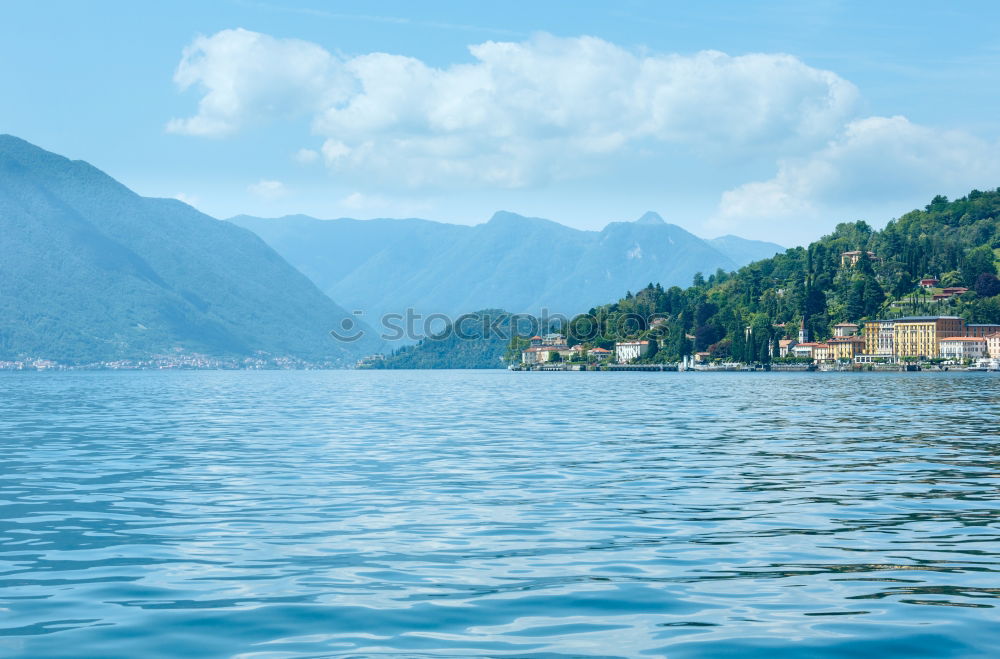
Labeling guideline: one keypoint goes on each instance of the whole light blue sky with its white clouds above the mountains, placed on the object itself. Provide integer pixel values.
(773, 121)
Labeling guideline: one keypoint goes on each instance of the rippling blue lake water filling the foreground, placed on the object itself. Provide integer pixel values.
(283, 514)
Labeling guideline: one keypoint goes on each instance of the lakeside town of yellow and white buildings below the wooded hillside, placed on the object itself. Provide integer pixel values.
(907, 343)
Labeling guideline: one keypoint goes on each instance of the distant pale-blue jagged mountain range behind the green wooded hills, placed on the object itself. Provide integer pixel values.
(523, 264)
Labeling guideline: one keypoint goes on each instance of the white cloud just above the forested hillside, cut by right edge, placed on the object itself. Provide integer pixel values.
(877, 162)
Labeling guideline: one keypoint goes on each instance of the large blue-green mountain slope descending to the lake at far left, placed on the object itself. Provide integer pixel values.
(90, 271)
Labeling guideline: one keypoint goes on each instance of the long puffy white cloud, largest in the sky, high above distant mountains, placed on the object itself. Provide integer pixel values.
(518, 113)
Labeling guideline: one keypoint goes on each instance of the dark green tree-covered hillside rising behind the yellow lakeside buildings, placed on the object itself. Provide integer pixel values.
(737, 315)
